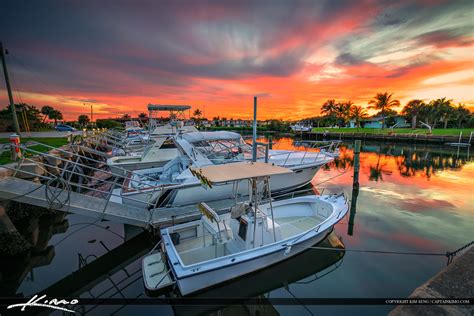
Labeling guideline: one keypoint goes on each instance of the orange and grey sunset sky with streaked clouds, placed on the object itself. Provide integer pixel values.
(120, 56)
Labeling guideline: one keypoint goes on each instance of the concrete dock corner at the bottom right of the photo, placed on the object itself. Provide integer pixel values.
(456, 281)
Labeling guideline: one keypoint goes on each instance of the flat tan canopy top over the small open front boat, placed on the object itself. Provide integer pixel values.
(215, 174)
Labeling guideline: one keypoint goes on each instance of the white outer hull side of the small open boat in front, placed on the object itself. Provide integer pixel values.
(198, 282)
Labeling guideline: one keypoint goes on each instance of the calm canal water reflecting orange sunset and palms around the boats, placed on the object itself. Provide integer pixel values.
(411, 198)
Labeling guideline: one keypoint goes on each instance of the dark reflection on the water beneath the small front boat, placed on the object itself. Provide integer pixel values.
(309, 266)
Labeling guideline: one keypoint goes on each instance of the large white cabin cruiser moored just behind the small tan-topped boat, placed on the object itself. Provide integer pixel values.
(173, 184)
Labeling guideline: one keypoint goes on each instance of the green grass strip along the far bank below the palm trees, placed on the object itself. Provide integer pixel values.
(437, 131)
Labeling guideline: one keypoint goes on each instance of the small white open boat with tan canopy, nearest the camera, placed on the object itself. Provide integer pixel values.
(249, 237)
